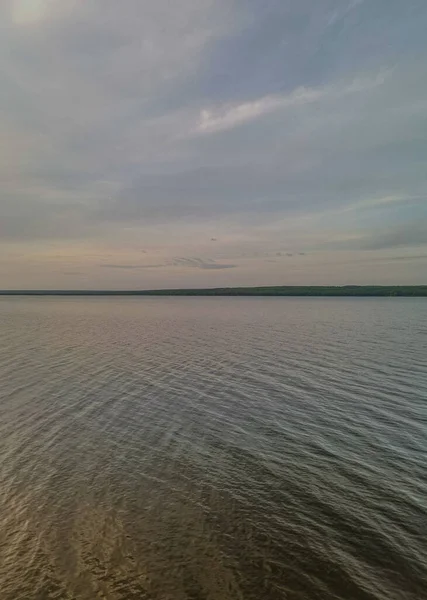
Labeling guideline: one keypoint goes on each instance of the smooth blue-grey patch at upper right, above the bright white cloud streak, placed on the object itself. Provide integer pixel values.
(292, 43)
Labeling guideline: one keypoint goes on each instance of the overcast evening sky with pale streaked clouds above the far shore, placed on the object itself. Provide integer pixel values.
(201, 143)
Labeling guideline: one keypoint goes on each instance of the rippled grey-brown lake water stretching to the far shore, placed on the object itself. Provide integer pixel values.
(213, 448)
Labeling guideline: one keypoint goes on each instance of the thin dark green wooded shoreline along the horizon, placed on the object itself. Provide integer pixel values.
(316, 291)
